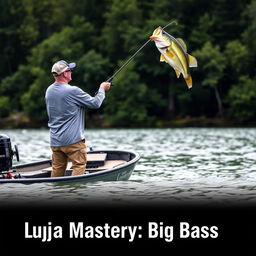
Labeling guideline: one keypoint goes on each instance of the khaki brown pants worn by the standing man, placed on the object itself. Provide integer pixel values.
(75, 152)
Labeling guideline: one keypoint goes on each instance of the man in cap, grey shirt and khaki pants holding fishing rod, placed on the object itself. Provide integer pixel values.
(65, 107)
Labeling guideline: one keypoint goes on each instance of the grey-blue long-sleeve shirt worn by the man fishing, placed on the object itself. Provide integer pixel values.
(65, 107)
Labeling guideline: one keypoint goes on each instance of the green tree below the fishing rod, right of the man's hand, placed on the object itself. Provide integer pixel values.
(126, 103)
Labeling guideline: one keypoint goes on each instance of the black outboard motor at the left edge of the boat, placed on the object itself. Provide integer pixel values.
(7, 153)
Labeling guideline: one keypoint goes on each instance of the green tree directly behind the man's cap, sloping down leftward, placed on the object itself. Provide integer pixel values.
(36, 77)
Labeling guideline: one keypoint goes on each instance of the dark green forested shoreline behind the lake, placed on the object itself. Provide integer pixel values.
(101, 35)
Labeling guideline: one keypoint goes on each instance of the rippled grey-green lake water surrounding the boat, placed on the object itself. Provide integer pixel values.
(176, 166)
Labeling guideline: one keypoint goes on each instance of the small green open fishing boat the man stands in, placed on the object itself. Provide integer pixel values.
(102, 165)
